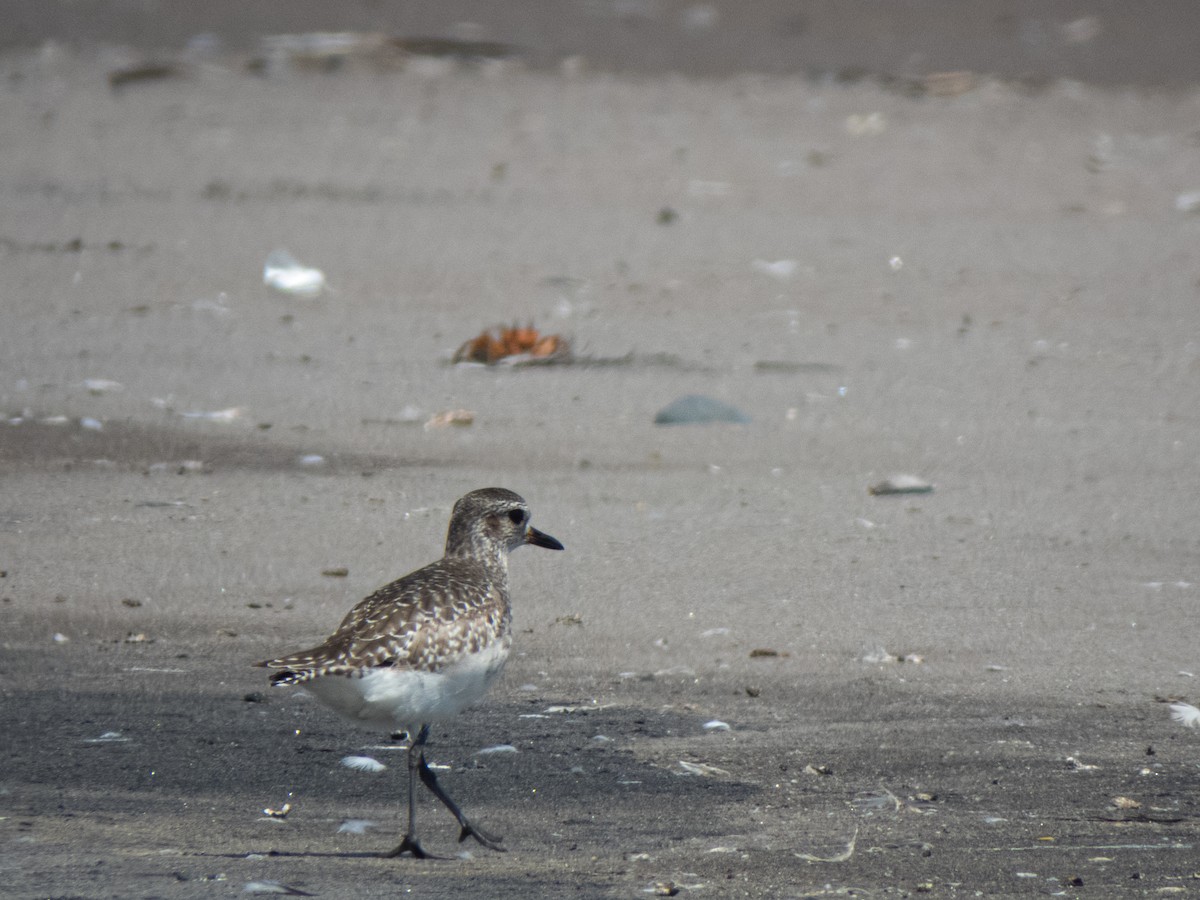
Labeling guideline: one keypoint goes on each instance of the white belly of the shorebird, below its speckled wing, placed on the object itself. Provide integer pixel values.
(403, 699)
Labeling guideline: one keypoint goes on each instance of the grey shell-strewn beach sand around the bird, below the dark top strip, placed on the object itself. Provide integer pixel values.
(994, 292)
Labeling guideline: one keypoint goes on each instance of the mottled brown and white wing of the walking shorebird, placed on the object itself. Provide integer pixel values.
(423, 621)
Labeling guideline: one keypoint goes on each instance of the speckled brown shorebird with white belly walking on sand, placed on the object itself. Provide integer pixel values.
(427, 646)
